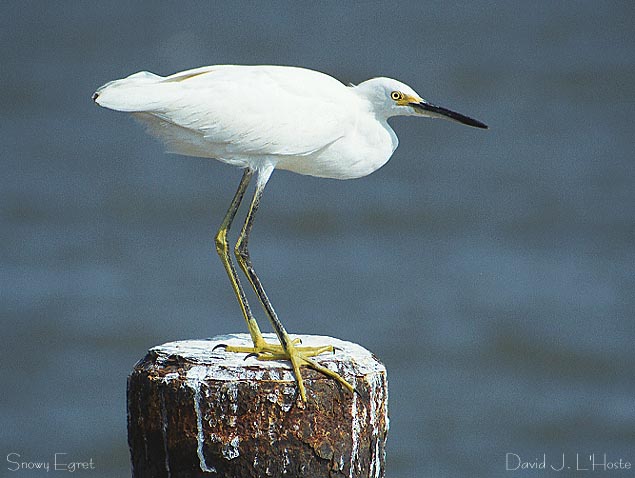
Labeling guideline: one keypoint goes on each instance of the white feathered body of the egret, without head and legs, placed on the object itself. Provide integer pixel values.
(299, 119)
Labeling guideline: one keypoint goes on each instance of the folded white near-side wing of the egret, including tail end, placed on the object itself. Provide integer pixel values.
(237, 111)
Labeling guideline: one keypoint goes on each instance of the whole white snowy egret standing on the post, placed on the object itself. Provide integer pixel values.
(264, 117)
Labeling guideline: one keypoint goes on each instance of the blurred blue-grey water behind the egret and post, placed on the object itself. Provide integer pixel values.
(493, 272)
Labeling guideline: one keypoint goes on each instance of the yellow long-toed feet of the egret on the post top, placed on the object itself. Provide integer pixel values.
(297, 355)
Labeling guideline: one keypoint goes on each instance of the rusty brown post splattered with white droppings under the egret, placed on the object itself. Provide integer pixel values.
(194, 412)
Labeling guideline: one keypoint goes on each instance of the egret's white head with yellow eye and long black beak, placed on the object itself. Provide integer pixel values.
(393, 98)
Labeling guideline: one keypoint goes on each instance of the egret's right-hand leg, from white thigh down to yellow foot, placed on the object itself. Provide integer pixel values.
(290, 350)
